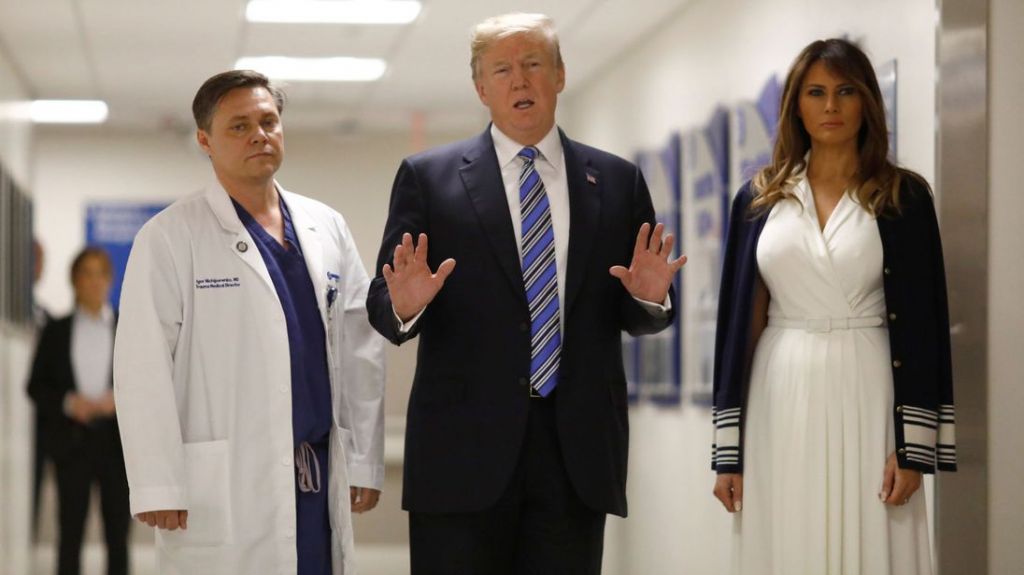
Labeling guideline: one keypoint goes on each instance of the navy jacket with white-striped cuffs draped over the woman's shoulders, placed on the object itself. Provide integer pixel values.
(915, 283)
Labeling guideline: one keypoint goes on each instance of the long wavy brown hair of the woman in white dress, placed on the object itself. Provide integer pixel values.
(877, 182)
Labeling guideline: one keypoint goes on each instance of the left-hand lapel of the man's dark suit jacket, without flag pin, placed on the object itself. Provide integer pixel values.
(483, 178)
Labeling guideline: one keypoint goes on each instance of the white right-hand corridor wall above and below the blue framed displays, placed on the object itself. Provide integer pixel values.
(711, 54)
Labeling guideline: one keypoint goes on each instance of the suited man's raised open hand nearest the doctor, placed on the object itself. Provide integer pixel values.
(411, 283)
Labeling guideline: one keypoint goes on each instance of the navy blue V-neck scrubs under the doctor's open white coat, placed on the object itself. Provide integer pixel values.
(312, 419)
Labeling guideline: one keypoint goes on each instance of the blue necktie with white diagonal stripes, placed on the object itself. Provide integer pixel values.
(540, 278)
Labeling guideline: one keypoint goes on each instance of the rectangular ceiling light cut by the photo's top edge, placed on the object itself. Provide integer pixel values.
(333, 12)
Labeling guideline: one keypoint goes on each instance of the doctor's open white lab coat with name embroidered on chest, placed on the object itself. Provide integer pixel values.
(202, 381)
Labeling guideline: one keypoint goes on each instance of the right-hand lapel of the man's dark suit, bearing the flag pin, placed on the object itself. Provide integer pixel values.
(585, 213)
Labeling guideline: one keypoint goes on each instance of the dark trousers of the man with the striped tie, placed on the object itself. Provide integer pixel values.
(539, 526)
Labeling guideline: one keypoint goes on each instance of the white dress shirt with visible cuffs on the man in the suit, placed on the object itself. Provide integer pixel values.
(550, 165)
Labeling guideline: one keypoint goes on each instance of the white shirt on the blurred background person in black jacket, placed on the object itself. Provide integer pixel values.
(93, 351)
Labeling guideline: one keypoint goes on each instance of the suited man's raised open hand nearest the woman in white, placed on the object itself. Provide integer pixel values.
(651, 273)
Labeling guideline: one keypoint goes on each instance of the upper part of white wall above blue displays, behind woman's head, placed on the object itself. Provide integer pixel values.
(717, 52)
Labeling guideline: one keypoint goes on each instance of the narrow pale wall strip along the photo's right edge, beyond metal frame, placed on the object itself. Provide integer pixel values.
(1006, 284)
